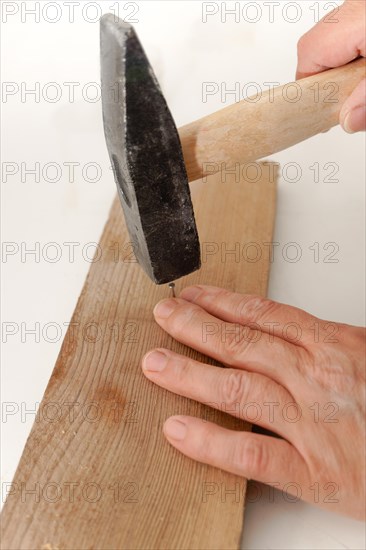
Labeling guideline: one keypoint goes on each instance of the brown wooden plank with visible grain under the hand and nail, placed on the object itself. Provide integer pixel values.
(102, 473)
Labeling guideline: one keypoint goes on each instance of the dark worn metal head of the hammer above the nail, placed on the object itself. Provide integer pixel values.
(146, 157)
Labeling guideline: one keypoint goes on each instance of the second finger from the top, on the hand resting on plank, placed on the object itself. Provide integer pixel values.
(230, 344)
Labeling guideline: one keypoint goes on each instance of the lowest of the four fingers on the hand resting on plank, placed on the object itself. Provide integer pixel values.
(267, 459)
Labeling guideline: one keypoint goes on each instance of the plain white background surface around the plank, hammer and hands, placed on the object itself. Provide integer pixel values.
(185, 53)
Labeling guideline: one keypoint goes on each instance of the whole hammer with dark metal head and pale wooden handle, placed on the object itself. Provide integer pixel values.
(153, 162)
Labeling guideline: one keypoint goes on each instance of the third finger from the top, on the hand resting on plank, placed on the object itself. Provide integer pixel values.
(249, 396)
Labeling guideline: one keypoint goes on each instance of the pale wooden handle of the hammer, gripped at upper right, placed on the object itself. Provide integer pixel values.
(261, 125)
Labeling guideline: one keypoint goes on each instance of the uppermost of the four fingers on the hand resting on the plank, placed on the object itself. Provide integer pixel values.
(289, 323)
